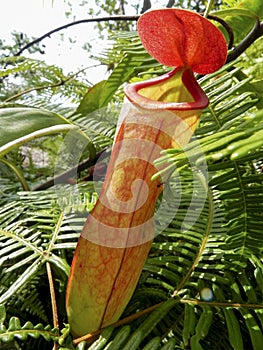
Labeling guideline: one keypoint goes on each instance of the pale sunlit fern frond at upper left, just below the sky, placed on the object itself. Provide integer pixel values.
(38, 79)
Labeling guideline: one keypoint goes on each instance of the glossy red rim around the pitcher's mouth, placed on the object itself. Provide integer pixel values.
(200, 100)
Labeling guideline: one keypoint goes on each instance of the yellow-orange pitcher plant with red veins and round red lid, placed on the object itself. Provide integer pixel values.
(157, 114)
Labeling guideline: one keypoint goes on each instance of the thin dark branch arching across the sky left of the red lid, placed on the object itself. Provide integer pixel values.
(65, 26)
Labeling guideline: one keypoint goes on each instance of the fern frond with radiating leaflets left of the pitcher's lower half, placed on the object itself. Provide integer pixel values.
(39, 227)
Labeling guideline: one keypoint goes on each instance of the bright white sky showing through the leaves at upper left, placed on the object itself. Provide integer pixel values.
(36, 17)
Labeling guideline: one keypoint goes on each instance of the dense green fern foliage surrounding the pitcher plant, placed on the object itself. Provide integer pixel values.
(204, 275)
